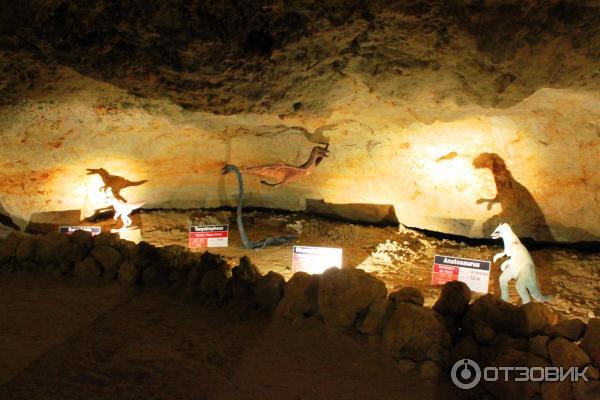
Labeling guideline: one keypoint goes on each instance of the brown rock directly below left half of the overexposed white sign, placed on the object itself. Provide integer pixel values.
(300, 297)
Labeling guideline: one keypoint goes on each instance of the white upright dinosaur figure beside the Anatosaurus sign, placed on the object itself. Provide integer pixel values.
(519, 266)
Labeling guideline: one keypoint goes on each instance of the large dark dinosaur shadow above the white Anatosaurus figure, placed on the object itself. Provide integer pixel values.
(519, 208)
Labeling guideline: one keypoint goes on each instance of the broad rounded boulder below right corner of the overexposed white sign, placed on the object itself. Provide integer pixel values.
(345, 294)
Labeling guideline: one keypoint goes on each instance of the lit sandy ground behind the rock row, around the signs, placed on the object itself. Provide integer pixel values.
(399, 258)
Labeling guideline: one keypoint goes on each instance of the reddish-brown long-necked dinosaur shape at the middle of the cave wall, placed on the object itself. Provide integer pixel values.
(282, 173)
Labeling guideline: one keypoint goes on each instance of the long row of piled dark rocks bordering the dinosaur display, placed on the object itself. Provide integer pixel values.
(426, 340)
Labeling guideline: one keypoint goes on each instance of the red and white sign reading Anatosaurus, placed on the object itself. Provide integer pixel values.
(475, 273)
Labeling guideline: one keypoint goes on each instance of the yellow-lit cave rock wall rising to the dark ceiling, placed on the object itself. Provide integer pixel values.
(423, 106)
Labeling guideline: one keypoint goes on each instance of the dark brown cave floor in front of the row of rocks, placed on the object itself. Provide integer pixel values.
(68, 339)
